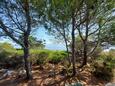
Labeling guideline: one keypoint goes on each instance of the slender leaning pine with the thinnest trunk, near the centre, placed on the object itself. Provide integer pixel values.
(58, 22)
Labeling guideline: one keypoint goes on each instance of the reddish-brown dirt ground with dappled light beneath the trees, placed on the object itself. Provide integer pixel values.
(45, 77)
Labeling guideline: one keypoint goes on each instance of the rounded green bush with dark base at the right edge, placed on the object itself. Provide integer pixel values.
(104, 65)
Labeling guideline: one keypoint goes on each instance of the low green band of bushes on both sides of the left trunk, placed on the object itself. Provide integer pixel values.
(14, 57)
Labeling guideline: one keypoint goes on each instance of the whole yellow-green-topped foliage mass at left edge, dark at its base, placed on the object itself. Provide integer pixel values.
(9, 56)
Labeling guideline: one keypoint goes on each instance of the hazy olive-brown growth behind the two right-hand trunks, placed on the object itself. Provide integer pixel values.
(79, 47)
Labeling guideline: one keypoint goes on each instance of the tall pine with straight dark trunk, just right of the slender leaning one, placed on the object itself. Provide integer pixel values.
(61, 17)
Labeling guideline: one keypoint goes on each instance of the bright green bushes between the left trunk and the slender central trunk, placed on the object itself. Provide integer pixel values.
(43, 56)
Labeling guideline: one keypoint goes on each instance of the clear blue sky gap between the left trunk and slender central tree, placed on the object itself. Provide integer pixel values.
(41, 33)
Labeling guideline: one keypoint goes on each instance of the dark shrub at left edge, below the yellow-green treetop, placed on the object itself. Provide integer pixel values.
(10, 60)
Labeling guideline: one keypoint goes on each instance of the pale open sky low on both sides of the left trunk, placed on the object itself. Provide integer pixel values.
(42, 34)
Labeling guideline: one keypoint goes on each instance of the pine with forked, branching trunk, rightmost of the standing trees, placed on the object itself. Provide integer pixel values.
(94, 22)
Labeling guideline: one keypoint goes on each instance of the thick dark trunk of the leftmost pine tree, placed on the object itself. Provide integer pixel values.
(26, 42)
